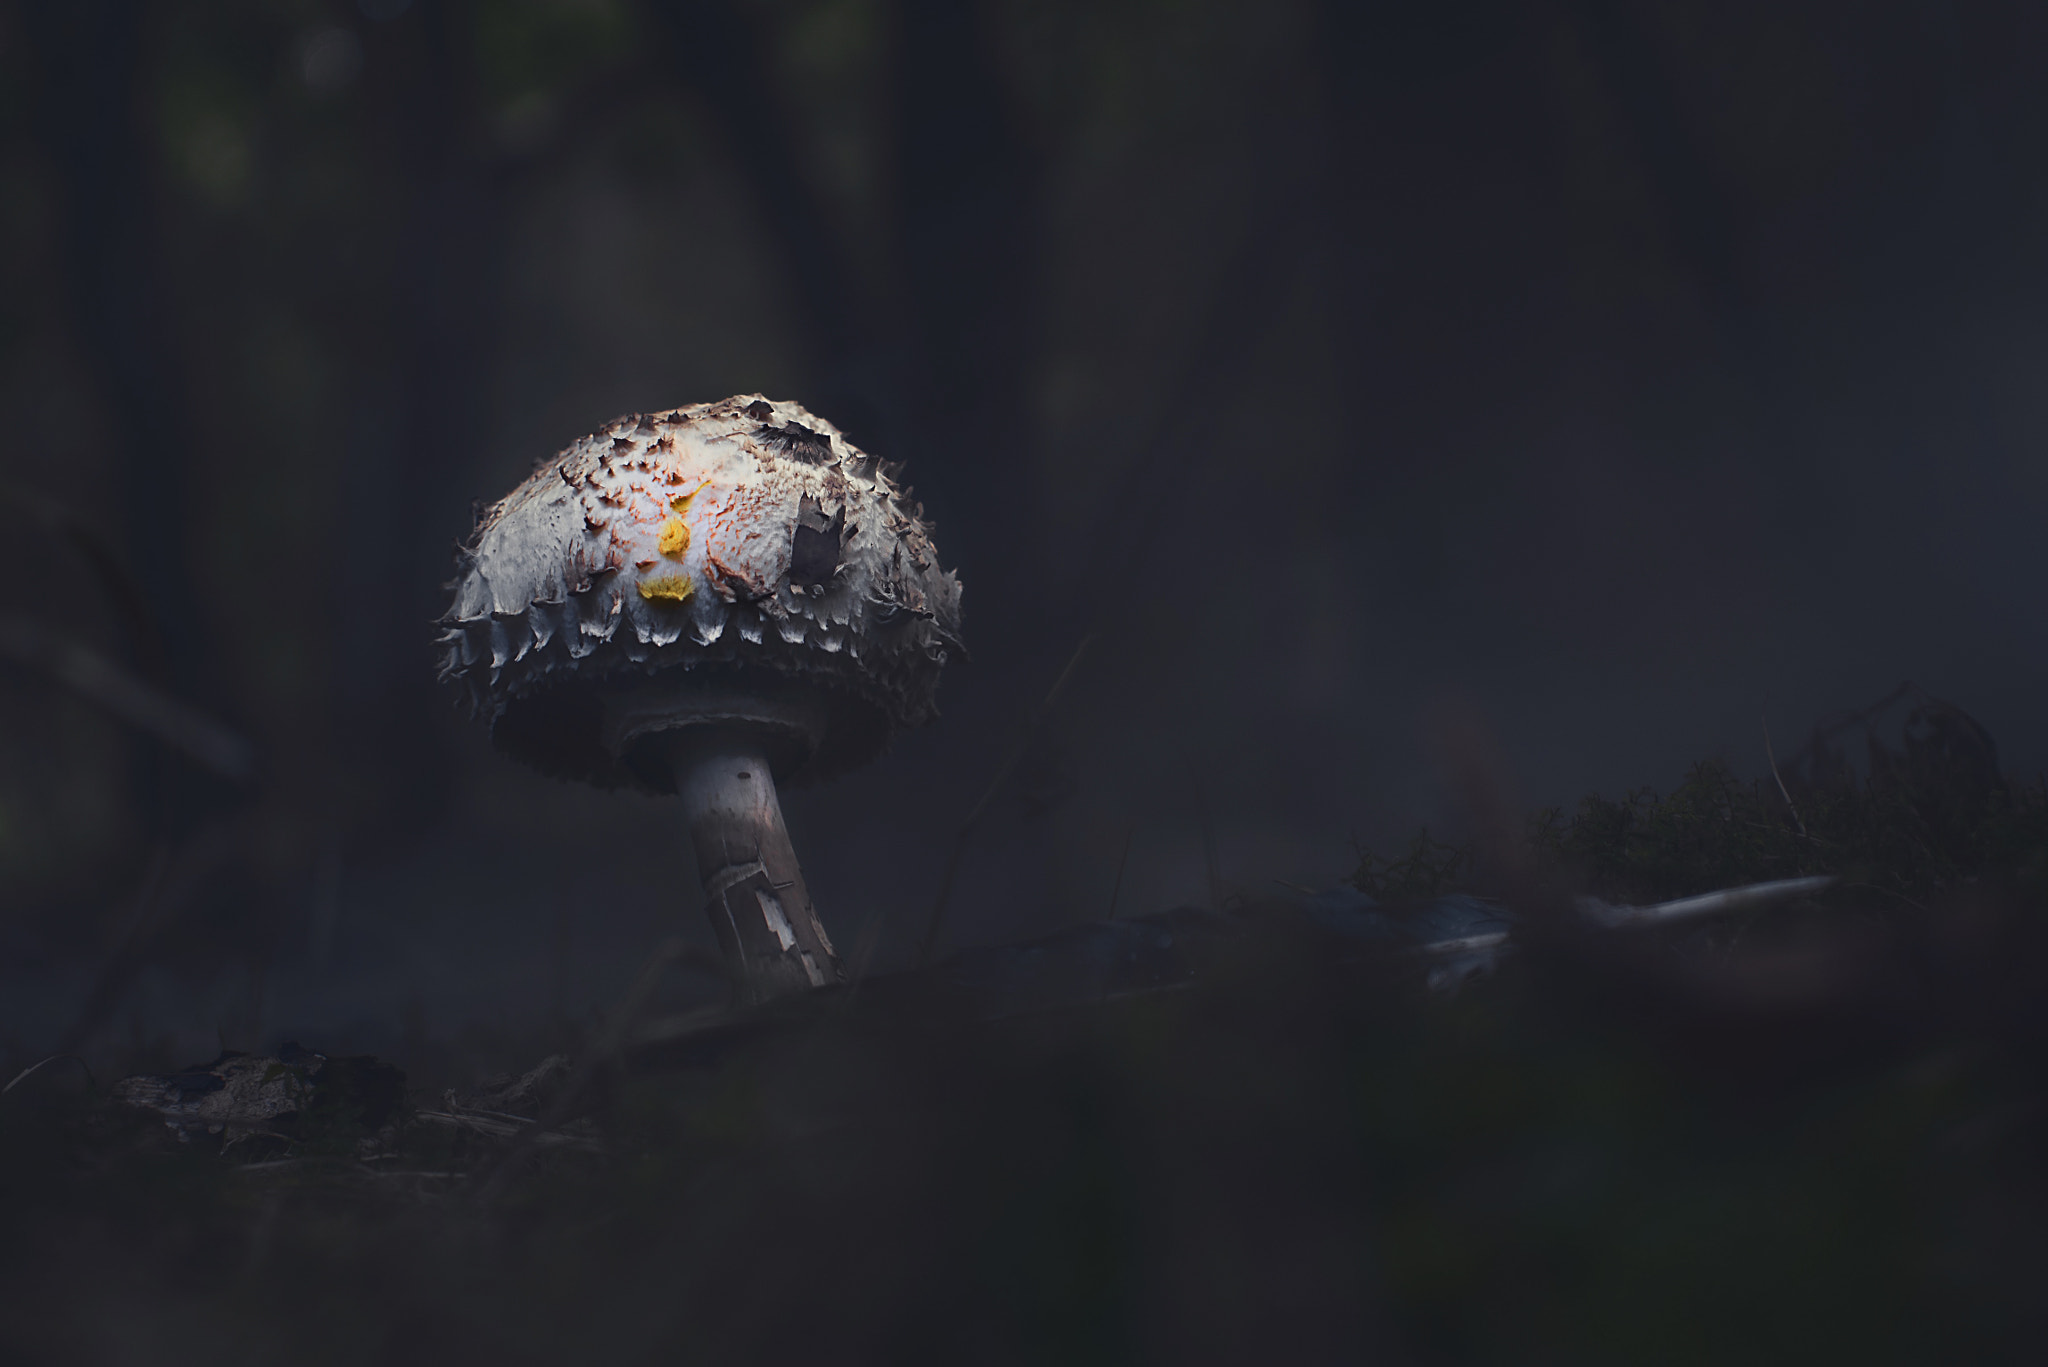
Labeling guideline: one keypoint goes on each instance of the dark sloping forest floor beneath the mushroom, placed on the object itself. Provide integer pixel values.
(1811, 1134)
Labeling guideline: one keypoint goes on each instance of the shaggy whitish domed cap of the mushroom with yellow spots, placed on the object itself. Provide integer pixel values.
(730, 548)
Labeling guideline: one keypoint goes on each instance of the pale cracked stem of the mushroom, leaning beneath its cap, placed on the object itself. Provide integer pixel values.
(755, 893)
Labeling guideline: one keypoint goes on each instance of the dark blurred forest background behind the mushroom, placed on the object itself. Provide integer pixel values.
(1613, 378)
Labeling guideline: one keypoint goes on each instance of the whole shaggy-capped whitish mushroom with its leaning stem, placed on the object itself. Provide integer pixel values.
(710, 602)
